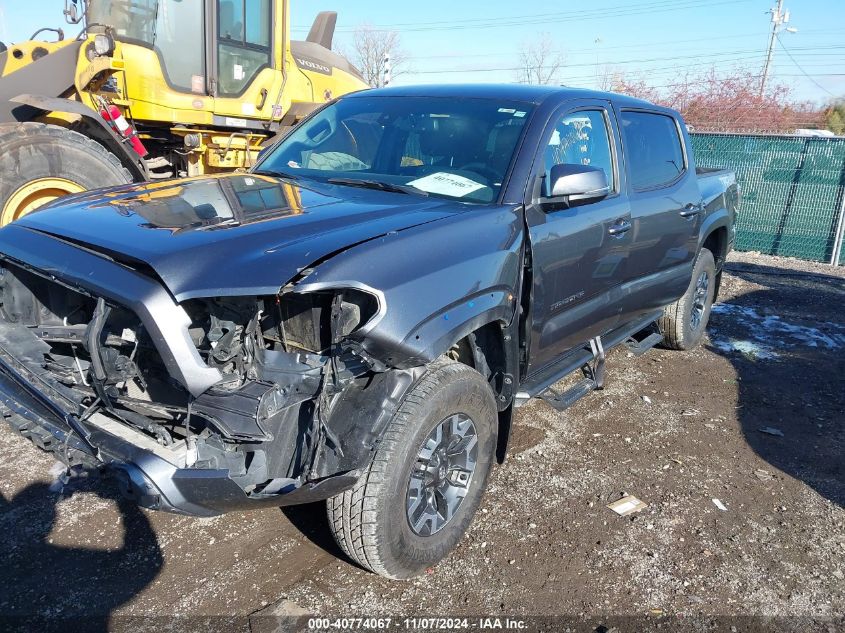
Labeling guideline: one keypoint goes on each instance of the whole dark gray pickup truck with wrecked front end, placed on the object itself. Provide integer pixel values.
(356, 319)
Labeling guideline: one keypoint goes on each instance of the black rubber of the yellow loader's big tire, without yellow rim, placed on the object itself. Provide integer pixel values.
(30, 151)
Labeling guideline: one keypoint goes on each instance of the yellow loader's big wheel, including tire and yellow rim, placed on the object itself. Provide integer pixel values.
(40, 163)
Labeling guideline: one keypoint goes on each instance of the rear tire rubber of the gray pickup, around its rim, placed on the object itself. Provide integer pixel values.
(676, 324)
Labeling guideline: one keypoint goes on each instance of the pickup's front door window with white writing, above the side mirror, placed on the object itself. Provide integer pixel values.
(580, 138)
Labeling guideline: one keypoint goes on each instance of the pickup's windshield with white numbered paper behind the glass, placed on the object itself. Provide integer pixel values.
(454, 148)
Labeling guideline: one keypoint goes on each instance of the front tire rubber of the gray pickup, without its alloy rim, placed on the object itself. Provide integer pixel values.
(370, 521)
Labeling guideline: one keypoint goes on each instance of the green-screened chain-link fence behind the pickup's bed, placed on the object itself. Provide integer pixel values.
(792, 190)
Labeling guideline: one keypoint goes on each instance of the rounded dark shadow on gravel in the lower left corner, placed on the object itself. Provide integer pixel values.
(47, 586)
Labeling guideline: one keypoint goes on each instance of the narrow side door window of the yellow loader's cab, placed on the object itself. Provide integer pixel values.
(244, 43)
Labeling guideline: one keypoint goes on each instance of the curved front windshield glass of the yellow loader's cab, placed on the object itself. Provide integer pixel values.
(174, 28)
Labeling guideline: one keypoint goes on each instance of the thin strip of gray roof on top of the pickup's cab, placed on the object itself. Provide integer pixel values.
(512, 92)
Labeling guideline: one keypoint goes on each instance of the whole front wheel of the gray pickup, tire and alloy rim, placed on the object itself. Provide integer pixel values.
(418, 496)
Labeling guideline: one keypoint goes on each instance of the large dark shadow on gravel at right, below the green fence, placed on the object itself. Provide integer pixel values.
(787, 345)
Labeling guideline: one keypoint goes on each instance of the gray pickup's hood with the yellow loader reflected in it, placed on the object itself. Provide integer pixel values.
(238, 234)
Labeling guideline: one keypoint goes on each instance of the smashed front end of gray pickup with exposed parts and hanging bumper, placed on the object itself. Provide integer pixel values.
(202, 407)
